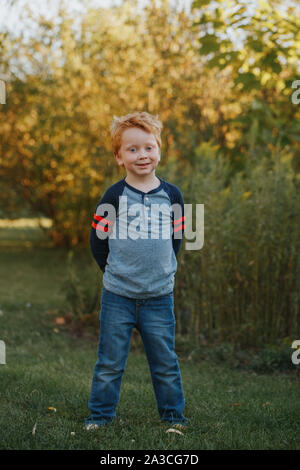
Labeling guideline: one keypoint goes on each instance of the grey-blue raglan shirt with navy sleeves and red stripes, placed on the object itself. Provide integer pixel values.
(135, 238)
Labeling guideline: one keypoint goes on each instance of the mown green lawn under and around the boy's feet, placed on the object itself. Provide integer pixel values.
(49, 367)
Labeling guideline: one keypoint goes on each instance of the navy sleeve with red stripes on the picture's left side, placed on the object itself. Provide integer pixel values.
(101, 227)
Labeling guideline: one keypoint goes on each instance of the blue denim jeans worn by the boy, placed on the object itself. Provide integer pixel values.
(154, 319)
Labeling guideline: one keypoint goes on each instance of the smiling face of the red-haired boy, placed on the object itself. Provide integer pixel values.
(139, 153)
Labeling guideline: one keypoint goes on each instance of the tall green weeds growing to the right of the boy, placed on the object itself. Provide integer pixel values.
(243, 285)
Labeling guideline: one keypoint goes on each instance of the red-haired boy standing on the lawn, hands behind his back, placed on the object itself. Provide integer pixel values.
(139, 268)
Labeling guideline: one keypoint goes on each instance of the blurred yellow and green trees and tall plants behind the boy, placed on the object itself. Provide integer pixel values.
(220, 76)
